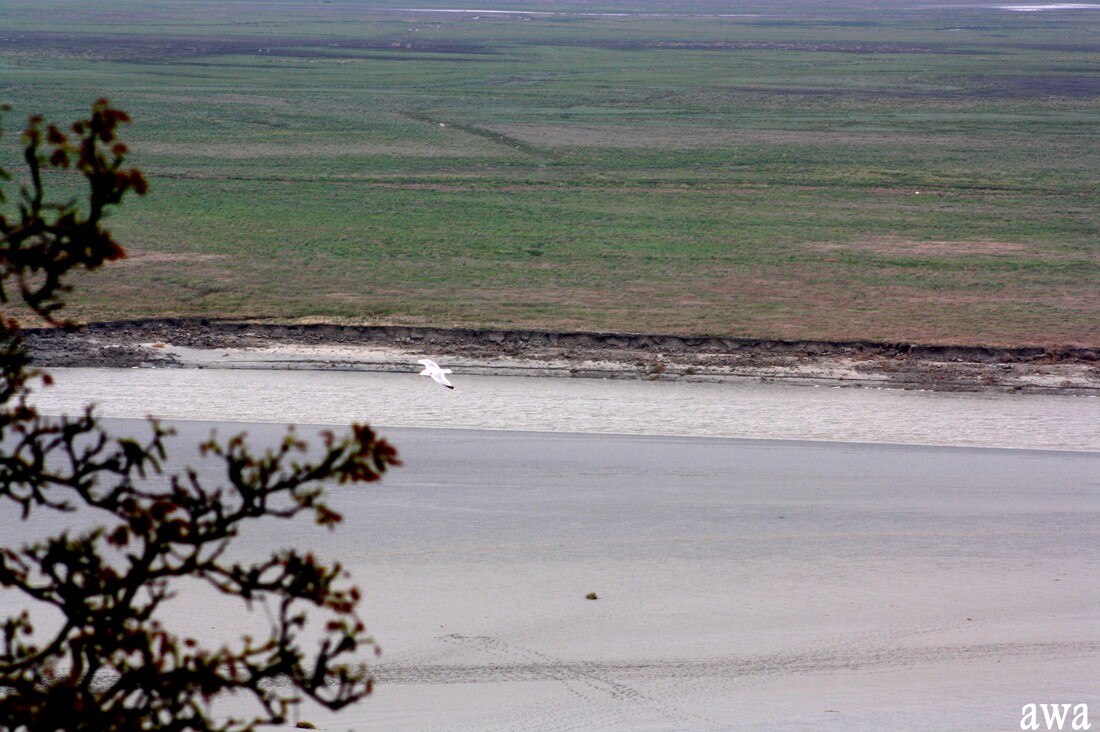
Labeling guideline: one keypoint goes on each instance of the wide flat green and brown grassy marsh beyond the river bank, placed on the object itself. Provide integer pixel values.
(821, 171)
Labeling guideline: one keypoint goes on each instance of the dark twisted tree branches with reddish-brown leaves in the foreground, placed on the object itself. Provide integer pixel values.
(106, 661)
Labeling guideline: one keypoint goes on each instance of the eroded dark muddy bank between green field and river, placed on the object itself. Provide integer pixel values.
(203, 344)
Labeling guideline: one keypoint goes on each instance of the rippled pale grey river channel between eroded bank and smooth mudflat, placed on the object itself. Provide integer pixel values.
(736, 409)
